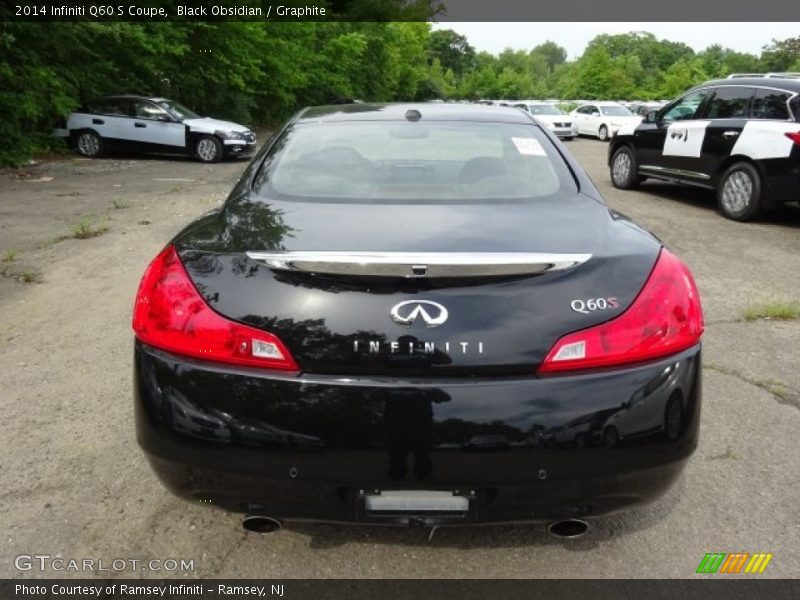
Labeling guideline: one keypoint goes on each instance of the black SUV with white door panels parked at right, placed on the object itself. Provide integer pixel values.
(739, 136)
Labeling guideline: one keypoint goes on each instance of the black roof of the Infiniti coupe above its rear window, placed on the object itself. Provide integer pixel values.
(429, 112)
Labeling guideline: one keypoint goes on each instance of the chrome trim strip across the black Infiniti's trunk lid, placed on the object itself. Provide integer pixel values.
(419, 264)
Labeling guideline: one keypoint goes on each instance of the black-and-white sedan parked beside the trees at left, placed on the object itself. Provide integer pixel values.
(150, 124)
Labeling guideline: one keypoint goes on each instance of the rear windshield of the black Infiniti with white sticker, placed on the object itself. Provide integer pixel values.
(388, 161)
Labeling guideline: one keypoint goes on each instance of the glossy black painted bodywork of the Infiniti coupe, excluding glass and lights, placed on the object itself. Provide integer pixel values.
(305, 446)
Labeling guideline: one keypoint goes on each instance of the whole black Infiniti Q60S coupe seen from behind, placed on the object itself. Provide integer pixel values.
(417, 315)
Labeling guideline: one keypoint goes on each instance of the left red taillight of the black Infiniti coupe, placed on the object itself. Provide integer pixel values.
(170, 314)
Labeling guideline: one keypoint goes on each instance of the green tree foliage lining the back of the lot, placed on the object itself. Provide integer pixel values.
(259, 73)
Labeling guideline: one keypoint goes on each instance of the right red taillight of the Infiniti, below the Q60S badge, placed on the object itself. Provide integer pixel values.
(665, 318)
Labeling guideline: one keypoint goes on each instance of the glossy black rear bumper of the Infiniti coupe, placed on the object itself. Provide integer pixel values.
(313, 447)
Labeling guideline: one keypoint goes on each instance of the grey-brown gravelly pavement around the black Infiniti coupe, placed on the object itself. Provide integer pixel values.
(74, 484)
